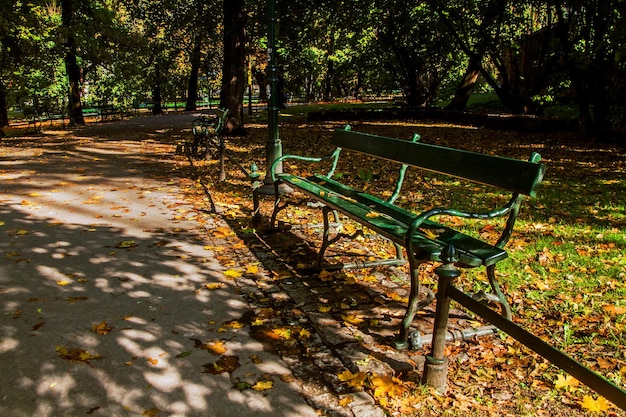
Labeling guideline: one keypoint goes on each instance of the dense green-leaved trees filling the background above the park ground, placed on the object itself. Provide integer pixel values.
(62, 56)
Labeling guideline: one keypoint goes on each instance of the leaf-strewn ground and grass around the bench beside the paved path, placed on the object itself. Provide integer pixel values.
(334, 330)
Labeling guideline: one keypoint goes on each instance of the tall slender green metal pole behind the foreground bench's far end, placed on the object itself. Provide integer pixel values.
(273, 147)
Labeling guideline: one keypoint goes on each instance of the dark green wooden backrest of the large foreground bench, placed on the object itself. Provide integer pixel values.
(506, 173)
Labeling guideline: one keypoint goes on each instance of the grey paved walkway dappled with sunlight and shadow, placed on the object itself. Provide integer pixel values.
(103, 280)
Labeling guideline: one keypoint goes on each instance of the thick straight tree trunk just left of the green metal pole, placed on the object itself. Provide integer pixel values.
(233, 70)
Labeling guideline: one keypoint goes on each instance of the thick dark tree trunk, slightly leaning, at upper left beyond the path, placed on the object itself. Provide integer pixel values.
(71, 65)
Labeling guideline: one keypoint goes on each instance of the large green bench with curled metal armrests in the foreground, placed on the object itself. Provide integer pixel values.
(424, 239)
